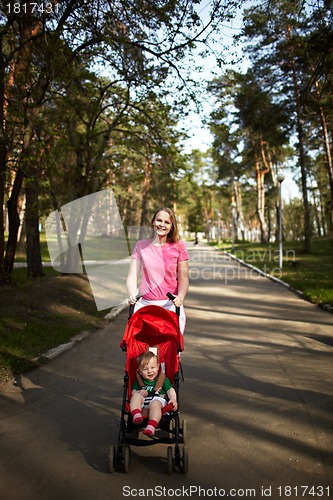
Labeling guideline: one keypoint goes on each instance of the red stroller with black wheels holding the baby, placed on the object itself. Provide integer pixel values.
(152, 327)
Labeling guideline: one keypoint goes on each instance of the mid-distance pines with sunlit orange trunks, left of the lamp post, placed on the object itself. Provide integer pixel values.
(259, 136)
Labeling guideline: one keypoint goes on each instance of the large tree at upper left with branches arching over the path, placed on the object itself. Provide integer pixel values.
(143, 46)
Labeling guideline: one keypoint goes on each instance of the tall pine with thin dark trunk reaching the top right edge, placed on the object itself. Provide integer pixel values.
(277, 33)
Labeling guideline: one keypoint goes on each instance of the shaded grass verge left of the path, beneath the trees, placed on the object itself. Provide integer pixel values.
(41, 313)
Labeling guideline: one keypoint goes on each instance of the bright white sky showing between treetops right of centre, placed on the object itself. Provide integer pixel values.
(200, 136)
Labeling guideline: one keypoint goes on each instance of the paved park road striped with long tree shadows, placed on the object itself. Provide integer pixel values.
(257, 399)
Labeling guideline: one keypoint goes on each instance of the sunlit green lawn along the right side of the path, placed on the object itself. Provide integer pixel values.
(312, 273)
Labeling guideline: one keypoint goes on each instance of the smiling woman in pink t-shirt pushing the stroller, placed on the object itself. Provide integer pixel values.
(163, 264)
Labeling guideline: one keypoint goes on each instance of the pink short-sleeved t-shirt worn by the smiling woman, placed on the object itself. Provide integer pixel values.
(159, 267)
